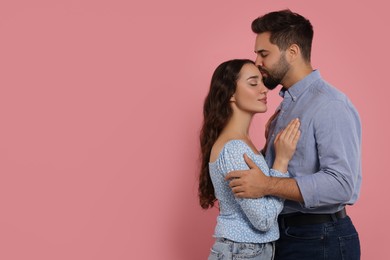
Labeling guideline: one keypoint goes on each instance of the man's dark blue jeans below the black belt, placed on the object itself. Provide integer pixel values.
(337, 240)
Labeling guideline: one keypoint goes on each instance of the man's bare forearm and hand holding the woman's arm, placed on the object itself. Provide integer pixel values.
(254, 184)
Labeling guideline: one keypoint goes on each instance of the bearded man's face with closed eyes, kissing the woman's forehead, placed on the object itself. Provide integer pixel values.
(271, 61)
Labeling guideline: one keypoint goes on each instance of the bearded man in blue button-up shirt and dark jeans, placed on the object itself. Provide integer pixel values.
(327, 163)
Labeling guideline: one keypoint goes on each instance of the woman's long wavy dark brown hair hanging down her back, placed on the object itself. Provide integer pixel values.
(216, 113)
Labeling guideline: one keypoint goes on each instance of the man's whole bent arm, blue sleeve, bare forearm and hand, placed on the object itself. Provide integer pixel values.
(338, 178)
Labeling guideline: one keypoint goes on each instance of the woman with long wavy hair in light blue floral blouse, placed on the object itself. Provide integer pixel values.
(245, 227)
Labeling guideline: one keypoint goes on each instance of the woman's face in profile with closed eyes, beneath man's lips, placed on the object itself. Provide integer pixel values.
(251, 94)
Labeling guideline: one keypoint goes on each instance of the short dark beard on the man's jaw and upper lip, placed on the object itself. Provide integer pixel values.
(272, 79)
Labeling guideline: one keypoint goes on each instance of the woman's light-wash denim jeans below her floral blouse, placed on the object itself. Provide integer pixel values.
(224, 249)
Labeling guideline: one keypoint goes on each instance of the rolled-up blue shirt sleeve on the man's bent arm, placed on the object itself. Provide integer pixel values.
(337, 136)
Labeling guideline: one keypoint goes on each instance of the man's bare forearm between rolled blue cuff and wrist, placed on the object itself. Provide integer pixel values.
(286, 188)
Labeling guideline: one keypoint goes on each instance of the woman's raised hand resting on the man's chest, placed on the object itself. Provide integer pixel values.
(285, 144)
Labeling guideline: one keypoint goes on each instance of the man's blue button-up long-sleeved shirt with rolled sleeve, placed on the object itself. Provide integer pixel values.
(327, 161)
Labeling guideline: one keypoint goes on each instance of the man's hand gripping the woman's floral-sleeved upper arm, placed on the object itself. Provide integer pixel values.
(250, 183)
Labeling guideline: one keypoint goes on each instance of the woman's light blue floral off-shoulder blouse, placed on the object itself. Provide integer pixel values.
(243, 220)
